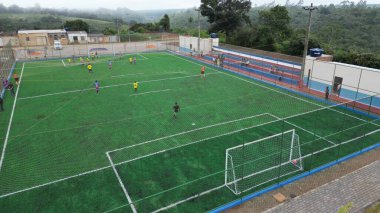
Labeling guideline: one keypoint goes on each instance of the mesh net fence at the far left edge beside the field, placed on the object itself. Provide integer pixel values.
(7, 60)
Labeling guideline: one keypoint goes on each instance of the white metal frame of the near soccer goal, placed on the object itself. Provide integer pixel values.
(229, 166)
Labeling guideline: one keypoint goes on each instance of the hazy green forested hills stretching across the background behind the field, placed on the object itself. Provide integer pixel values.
(348, 31)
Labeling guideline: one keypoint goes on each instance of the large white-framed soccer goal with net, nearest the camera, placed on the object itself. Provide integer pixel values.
(262, 161)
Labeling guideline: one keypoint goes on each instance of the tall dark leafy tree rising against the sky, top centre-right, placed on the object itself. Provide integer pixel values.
(226, 16)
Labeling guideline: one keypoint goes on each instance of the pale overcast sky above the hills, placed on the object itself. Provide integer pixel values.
(144, 4)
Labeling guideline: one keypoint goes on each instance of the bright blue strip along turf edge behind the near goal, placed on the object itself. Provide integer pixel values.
(293, 179)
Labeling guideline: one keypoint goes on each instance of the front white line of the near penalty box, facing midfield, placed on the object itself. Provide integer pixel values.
(185, 132)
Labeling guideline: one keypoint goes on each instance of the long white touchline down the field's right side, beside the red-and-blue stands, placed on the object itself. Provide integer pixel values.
(272, 89)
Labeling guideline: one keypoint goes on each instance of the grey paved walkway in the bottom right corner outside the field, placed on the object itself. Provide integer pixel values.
(361, 187)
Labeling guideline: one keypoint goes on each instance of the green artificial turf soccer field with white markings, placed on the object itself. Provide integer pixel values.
(67, 148)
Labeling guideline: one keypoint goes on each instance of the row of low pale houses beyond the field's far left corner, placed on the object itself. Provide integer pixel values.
(26, 38)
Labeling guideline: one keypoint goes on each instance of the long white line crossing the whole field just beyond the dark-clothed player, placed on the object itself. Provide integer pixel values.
(110, 86)
